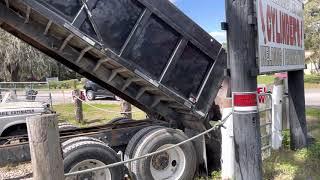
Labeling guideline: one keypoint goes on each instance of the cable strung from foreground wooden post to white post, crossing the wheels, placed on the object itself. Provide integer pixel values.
(216, 126)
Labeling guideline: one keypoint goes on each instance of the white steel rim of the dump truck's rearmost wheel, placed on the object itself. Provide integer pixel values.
(171, 170)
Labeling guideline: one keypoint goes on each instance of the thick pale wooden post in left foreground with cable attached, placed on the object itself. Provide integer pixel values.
(45, 149)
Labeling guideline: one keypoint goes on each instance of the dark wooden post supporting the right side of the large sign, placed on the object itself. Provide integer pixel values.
(297, 112)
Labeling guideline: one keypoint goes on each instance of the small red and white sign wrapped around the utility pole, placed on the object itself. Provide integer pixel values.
(245, 102)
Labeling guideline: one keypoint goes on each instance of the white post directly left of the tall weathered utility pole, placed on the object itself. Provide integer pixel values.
(227, 145)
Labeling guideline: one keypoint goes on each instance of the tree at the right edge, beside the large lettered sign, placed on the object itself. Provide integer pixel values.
(312, 30)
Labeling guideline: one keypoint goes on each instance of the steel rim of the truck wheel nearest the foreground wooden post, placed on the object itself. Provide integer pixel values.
(103, 174)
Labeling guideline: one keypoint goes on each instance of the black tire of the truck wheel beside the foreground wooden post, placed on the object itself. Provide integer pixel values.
(90, 150)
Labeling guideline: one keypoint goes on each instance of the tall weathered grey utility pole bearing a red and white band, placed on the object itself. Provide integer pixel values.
(243, 69)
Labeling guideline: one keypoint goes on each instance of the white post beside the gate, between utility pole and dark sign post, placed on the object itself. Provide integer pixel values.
(277, 100)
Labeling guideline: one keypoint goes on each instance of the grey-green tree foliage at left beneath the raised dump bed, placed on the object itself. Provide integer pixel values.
(21, 62)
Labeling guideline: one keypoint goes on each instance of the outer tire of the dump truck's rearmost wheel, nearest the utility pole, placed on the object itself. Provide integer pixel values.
(155, 139)
